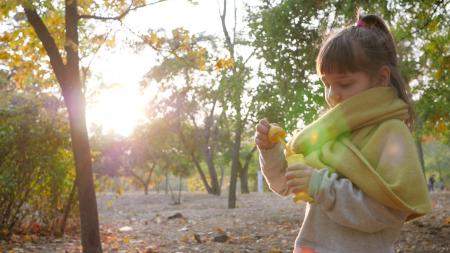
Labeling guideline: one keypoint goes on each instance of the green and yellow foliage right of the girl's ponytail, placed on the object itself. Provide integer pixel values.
(422, 35)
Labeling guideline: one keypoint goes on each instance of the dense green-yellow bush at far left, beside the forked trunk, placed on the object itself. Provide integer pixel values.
(35, 159)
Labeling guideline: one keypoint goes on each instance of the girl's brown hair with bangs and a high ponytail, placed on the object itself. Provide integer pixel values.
(366, 46)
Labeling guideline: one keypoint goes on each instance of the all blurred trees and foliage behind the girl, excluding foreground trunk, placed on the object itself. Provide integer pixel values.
(208, 93)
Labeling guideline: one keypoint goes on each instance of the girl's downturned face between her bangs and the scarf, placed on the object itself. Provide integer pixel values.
(341, 86)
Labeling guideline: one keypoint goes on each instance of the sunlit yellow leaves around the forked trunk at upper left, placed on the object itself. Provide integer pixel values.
(22, 53)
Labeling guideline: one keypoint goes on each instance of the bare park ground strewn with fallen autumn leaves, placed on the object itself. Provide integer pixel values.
(262, 222)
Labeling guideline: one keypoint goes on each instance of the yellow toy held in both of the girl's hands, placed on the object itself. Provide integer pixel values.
(277, 135)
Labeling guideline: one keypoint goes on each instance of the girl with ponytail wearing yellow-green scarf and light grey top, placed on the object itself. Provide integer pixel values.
(362, 170)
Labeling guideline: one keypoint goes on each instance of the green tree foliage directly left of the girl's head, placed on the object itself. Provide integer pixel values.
(287, 38)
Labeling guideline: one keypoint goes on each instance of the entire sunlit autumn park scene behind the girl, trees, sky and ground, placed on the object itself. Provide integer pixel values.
(152, 104)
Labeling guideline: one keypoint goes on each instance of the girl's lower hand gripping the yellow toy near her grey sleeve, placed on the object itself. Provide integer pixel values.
(298, 177)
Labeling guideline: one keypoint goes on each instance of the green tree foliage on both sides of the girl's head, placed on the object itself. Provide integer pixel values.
(288, 35)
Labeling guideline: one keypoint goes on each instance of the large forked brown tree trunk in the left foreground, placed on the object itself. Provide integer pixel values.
(68, 76)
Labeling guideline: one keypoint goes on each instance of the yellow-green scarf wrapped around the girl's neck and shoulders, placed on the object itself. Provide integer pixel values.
(366, 140)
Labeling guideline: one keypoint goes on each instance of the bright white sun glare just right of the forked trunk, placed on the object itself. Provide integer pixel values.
(117, 109)
